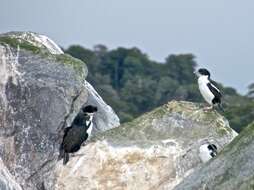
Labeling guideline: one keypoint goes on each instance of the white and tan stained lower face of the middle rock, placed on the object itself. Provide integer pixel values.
(101, 166)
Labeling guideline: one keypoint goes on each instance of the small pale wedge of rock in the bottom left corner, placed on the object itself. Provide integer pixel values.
(7, 181)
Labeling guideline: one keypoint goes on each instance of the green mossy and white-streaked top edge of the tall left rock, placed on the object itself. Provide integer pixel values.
(44, 48)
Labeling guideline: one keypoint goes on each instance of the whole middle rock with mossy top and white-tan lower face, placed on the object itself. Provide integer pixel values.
(155, 151)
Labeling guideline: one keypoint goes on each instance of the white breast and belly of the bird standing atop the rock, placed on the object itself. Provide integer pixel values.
(204, 90)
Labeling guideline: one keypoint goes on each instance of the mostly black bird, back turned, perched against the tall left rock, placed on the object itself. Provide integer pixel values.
(77, 133)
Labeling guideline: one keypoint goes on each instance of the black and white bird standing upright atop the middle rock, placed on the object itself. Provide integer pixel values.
(208, 90)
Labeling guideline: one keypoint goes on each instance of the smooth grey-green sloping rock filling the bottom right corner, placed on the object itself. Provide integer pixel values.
(232, 169)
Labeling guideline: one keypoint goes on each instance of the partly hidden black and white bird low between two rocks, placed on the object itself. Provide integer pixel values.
(207, 151)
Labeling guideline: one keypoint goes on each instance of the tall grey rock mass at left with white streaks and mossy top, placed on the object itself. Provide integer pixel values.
(41, 91)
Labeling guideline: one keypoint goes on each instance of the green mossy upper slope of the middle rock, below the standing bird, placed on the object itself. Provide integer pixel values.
(144, 128)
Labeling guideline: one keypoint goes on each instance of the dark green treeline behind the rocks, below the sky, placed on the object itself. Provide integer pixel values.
(133, 84)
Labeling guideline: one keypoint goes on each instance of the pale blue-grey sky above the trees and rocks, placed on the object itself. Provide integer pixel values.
(219, 32)
